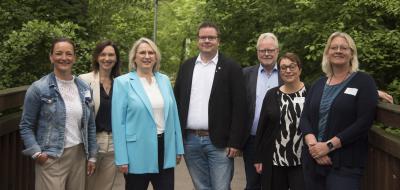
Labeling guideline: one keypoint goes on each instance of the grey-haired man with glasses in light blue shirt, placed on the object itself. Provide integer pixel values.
(259, 79)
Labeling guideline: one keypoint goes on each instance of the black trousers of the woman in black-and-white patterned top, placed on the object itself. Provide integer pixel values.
(287, 177)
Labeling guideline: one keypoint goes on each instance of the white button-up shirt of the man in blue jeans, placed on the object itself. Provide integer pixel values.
(202, 81)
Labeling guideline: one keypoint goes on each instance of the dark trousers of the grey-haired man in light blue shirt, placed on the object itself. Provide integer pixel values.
(252, 177)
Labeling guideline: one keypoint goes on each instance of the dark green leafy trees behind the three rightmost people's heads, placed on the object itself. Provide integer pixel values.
(303, 27)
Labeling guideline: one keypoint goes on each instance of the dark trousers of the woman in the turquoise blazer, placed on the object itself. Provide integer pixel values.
(164, 180)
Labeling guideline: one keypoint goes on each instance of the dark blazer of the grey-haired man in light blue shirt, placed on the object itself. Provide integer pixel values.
(250, 75)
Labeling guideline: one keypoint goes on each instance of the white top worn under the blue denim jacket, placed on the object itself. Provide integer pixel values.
(73, 106)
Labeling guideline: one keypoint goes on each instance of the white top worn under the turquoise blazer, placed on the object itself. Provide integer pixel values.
(157, 102)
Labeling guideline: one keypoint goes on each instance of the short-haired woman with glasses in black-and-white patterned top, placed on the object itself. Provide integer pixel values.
(279, 140)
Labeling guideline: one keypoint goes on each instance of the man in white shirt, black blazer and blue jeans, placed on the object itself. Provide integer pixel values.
(211, 98)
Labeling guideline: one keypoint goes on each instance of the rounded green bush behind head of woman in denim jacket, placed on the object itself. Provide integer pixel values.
(25, 54)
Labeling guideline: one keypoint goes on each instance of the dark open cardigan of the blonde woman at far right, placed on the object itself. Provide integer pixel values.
(350, 118)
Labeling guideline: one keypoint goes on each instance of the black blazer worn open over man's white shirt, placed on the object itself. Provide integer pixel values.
(227, 103)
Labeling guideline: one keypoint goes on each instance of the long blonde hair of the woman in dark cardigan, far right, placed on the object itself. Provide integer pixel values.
(326, 65)
